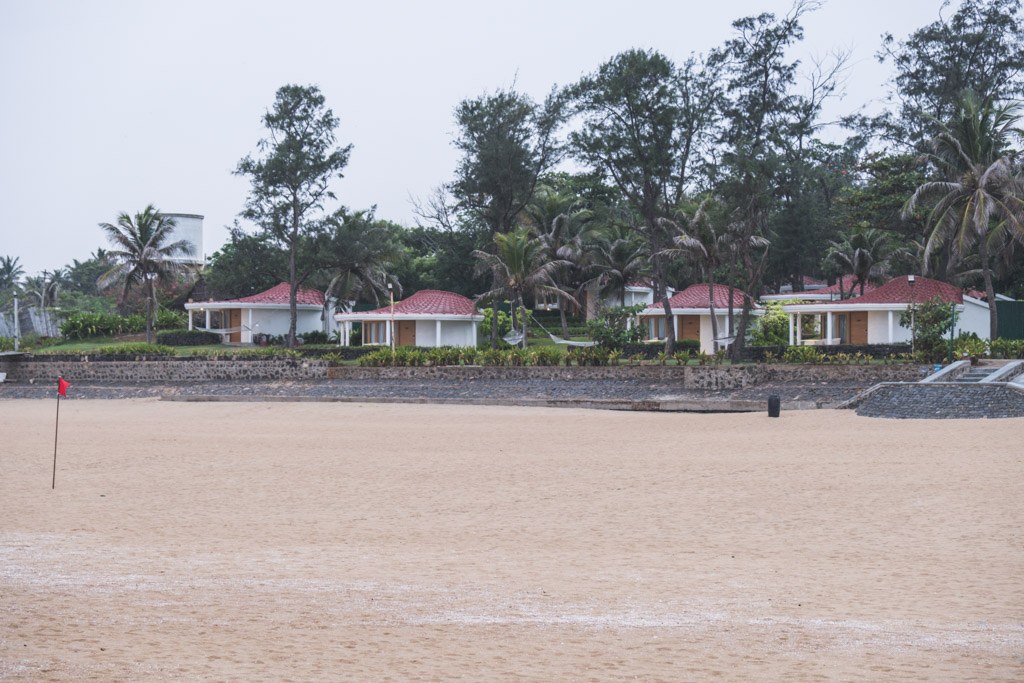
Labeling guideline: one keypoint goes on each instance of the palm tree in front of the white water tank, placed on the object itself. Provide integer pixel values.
(143, 253)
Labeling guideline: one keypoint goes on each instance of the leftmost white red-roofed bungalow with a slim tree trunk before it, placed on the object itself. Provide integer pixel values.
(264, 314)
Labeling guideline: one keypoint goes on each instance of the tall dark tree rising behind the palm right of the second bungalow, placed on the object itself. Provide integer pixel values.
(507, 142)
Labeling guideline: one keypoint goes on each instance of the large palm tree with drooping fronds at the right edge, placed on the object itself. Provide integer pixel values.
(980, 193)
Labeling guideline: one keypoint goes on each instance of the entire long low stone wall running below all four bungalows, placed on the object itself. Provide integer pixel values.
(133, 371)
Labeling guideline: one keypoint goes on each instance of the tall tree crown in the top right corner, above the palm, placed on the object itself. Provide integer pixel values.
(979, 49)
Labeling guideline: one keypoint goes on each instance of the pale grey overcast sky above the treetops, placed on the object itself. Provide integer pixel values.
(109, 106)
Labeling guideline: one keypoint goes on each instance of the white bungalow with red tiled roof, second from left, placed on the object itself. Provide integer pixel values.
(430, 318)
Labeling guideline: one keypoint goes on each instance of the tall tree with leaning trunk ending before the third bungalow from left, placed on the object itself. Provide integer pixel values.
(644, 126)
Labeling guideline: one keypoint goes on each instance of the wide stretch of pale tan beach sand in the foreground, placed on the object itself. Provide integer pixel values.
(277, 541)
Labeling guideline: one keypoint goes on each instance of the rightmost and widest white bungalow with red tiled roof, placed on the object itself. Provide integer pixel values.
(874, 318)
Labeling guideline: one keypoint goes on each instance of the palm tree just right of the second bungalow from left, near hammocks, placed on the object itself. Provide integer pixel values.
(519, 266)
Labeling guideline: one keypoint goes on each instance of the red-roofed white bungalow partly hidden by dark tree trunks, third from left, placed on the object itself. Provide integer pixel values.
(692, 316)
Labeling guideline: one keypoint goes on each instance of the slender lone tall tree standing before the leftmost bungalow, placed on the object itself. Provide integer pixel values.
(291, 178)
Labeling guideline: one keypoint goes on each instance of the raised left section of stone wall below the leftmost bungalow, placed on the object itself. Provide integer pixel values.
(133, 371)
